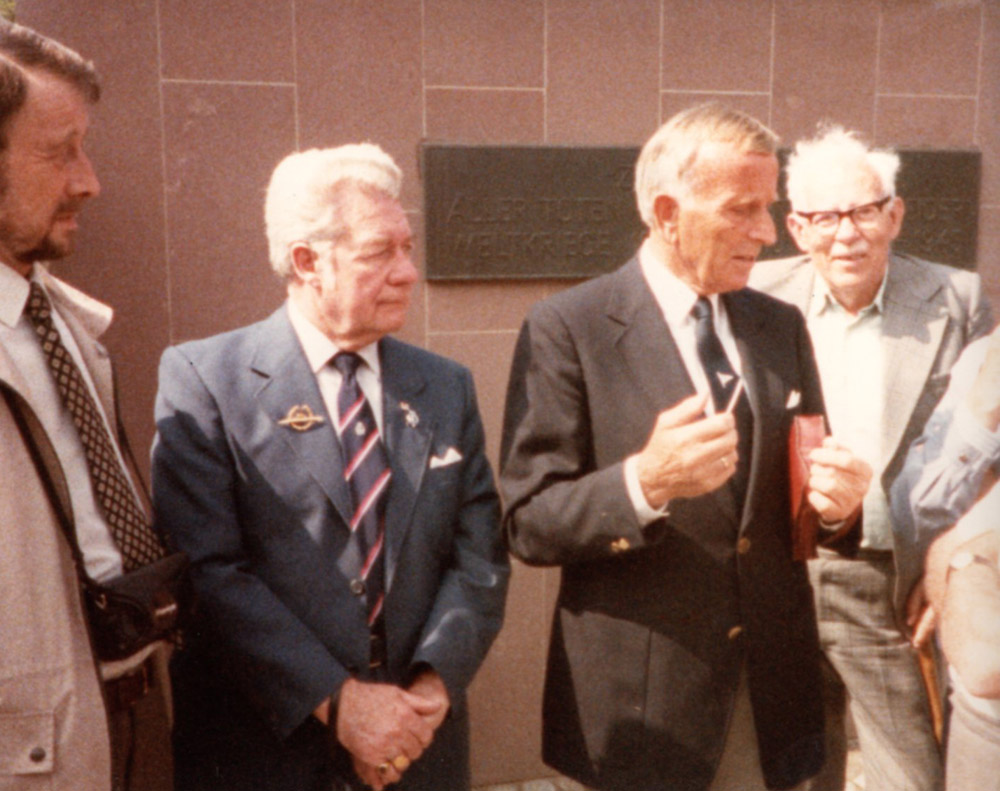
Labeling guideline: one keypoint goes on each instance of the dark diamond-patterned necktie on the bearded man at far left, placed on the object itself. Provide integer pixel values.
(130, 531)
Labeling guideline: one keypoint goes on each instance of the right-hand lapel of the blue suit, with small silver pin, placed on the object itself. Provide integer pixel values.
(408, 444)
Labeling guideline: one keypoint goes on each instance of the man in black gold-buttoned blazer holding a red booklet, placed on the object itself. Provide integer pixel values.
(684, 652)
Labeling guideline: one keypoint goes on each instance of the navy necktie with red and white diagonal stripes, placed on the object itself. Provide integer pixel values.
(366, 470)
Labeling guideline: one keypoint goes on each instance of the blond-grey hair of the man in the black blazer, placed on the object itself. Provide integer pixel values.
(666, 162)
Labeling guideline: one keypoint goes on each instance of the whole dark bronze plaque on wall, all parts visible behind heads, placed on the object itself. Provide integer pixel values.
(501, 212)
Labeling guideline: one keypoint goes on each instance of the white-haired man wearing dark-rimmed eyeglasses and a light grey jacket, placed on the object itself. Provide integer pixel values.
(886, 328)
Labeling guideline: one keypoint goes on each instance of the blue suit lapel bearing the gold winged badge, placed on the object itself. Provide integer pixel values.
(288, 383)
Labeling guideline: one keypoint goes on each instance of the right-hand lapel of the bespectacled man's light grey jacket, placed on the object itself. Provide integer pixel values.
(913, 327)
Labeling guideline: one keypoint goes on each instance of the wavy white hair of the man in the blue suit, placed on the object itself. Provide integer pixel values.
(305, 195)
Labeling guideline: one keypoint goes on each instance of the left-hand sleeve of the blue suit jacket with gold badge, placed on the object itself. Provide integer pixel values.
(284, 671)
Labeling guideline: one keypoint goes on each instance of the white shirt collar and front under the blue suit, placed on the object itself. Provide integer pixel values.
(320, 351)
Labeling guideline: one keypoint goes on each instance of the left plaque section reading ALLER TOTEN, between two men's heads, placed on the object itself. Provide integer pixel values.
(528, 211)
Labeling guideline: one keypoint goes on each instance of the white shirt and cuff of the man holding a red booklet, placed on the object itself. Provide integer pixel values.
(675, 299)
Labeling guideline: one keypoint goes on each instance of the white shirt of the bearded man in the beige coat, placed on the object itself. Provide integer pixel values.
(101, 557)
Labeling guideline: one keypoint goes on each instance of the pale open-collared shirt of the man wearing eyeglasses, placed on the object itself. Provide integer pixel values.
(850, 357)
